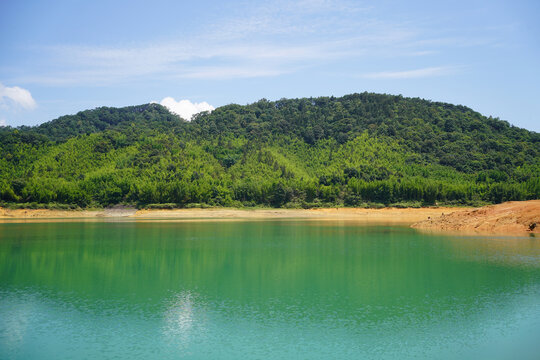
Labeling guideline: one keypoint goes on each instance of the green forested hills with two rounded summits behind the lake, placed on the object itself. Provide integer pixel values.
(358, 150)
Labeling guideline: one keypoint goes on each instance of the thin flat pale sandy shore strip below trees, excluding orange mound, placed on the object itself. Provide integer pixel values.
(387, 215)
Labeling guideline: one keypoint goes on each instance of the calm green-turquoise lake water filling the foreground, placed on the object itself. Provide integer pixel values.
(264, 290)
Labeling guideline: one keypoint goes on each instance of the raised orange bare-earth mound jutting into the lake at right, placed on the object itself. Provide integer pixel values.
(507, 218)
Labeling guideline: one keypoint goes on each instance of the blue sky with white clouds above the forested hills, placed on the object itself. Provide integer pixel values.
(59, 57)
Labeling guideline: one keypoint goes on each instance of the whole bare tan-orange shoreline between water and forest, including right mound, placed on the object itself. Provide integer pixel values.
(508, 218)
